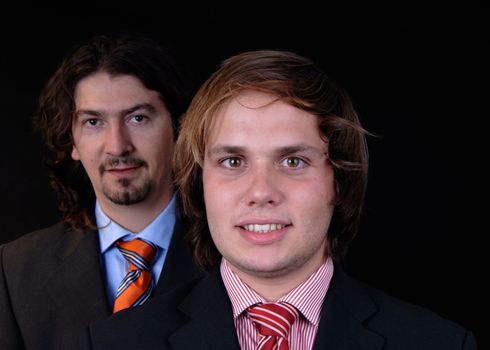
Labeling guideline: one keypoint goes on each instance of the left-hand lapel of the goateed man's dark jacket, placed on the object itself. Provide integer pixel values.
(77, 286)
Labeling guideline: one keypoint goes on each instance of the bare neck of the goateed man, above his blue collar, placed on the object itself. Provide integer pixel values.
(134, 217)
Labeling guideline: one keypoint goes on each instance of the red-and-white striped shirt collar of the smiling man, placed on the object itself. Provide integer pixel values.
(307, 297)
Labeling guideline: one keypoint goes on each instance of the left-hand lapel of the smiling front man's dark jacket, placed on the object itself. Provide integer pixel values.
(211, 318)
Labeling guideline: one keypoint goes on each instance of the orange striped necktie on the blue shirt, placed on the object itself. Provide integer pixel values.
(136, 286)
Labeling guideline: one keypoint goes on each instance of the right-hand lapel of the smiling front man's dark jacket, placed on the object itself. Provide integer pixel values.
(344, 311)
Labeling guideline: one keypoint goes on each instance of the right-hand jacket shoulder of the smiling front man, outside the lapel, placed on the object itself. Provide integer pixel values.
(399, 322)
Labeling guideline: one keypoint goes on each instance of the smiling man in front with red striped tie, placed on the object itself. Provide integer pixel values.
(271, 165)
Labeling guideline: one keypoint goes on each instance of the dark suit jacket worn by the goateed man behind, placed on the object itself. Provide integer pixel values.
(52, 286)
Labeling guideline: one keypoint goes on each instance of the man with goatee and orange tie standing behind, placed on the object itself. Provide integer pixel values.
(109, 118)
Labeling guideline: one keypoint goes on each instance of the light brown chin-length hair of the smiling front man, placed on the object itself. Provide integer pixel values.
(300, 82)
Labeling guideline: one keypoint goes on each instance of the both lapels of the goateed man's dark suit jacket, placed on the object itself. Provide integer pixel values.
(77, 287)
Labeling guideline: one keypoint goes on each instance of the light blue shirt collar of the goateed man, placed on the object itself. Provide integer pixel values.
(159, 231)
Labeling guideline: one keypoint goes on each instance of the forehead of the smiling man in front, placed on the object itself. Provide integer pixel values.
(264, 118)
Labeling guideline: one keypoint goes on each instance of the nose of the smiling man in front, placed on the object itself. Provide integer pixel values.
(264, 187)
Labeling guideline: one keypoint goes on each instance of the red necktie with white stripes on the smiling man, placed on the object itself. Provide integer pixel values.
(273, 321)
